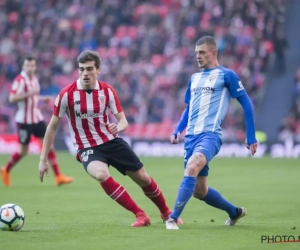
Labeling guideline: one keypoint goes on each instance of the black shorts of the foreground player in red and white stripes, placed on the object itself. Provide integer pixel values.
(116, 153)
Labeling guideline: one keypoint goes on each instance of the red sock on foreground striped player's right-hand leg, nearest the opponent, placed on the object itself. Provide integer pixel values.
(153, 192)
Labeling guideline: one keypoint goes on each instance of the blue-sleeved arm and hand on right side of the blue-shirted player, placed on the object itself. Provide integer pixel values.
(246, 103)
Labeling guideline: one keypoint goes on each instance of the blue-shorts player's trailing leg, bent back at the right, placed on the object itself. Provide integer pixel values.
(213, 198)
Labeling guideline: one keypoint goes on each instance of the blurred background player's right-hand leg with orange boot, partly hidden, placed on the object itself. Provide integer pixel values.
(60, 179)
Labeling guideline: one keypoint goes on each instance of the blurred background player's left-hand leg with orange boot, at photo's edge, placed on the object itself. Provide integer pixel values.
(24, 133)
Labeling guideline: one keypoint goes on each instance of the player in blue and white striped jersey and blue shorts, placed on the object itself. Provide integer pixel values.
(207, 99)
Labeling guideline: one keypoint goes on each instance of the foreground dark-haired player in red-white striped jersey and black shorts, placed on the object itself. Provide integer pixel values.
(87, 102)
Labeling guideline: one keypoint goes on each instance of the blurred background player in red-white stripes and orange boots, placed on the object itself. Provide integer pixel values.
(25, 93)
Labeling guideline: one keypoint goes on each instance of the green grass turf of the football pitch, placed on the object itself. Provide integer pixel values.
(81, 216)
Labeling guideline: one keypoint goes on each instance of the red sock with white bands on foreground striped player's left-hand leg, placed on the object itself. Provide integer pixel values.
(118, 193)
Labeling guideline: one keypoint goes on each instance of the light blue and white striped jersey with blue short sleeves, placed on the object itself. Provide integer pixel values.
(208, 96)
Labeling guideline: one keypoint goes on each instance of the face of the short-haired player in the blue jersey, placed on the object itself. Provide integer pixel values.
(206, 56)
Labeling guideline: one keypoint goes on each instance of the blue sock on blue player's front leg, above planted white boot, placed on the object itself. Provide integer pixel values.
(185, 192)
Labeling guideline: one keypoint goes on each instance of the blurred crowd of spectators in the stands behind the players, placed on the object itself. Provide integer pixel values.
(147, 50)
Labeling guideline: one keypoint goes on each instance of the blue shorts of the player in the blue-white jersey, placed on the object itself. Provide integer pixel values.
(207, 143)
